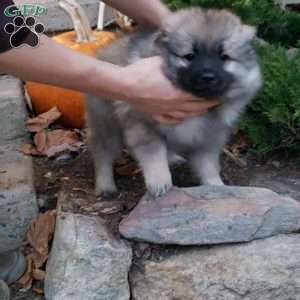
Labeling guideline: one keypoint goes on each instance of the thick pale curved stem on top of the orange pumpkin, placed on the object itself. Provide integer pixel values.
(80, 20)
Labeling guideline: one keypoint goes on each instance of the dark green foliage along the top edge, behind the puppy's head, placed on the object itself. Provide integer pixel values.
(275, 25)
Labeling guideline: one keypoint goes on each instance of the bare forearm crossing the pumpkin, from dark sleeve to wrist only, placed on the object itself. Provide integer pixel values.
(54, 64)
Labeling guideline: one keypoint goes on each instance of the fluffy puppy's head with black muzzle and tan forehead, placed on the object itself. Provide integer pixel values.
(207, 51)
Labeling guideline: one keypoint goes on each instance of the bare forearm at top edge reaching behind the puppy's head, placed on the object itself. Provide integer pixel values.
(146, 12)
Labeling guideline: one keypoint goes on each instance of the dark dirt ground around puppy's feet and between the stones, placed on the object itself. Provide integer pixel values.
(74, 177)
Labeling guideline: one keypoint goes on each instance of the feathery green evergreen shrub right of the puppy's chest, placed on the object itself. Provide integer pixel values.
(273, 120)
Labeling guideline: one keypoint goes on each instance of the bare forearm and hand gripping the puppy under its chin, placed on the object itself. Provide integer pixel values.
(51, 63)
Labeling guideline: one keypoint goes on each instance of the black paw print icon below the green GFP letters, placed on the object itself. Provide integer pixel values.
(21, 27)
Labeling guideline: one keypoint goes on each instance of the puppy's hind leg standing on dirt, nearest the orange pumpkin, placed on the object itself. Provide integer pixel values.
(105, 144)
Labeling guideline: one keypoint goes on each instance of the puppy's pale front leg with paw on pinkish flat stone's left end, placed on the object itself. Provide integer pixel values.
(151, 153)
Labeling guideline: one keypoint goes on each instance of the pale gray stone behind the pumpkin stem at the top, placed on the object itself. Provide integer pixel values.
(57, 20)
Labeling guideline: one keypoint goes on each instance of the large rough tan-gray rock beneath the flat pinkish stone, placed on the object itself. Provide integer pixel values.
(261, 270)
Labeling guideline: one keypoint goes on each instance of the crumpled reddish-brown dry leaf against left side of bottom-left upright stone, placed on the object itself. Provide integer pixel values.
(40, 234)
